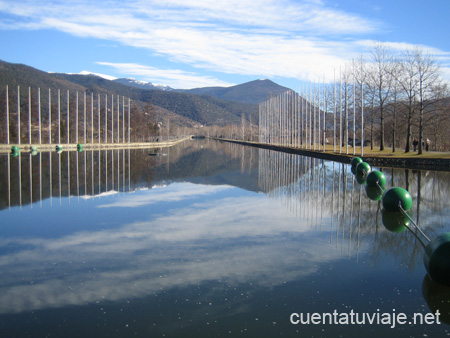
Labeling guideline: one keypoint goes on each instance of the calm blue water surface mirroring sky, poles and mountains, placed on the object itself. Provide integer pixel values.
(209, 239)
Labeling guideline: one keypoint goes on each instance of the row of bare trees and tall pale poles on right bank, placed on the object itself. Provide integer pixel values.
(391, 98)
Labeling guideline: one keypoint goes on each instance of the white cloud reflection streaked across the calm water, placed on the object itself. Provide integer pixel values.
(227, 239)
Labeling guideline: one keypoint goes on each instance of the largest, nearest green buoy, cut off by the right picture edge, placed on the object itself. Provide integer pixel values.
(437, 259)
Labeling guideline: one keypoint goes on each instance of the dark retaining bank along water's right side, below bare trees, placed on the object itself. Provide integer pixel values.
(418, 163)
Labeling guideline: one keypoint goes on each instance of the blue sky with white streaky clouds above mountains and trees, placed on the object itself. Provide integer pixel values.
(200, 43)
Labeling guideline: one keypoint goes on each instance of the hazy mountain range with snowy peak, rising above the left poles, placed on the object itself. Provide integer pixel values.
(206, 106)
